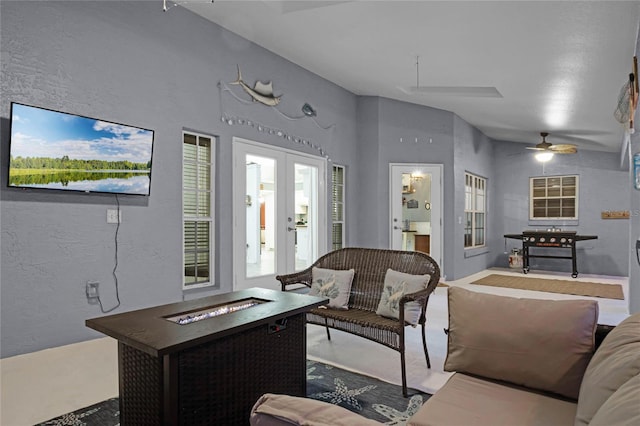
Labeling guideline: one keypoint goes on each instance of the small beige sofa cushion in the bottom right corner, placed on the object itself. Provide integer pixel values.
(622, 408)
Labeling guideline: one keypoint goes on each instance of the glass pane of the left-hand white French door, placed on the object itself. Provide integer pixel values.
(260, 204)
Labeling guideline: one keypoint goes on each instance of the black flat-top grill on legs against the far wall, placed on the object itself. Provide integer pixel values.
(553, 238)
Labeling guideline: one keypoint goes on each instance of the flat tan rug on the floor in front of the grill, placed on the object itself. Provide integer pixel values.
(579, 288)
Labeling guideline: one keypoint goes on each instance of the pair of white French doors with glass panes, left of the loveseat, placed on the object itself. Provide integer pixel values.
(279, 210)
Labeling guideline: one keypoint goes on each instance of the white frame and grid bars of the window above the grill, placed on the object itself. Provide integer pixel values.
(565, 192)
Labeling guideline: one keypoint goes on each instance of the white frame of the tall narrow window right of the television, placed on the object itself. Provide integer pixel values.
(198, 218)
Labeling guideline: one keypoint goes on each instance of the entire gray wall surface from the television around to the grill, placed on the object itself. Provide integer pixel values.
(130, 62)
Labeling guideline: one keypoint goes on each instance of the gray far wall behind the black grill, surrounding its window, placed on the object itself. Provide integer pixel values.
(603, 186)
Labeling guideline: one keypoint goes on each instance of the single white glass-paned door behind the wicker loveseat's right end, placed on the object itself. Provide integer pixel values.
(416, 208)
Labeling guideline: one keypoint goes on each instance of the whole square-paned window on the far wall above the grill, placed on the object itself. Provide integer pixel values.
(553, 197)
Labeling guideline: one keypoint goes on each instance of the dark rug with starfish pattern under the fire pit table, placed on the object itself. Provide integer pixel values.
(367, 396)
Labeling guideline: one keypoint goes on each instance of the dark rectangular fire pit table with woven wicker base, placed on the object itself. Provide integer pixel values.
(206, 361)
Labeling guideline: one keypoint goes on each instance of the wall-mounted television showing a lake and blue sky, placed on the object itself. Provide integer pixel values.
(57, 150)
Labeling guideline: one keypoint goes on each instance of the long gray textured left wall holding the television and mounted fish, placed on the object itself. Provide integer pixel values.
(132, 63)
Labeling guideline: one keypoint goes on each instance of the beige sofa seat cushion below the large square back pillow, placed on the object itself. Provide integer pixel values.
(468, 400)
